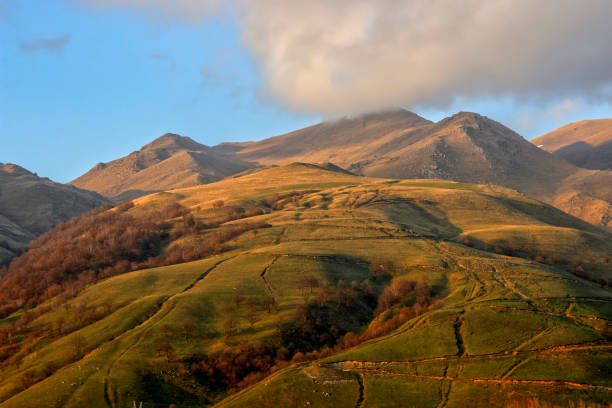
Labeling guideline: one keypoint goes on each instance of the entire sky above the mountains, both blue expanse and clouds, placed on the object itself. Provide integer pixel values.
(88, 81)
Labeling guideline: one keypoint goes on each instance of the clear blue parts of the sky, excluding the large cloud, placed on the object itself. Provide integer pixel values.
(81, 85)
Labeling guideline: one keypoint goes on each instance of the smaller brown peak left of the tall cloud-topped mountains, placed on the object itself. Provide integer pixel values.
(170, 161)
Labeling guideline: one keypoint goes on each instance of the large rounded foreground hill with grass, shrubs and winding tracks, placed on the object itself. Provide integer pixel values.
(304, 285)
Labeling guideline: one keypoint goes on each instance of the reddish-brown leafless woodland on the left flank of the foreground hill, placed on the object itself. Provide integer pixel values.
(105, 243)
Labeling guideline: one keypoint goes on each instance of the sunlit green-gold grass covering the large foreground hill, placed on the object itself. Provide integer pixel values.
(341, 228)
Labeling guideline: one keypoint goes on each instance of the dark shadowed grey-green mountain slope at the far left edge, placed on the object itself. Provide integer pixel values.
(30, 206)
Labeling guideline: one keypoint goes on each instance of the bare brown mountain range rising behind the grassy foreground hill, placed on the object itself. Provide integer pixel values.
(466, 147)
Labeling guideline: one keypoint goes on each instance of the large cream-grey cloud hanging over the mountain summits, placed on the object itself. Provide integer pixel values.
(338, 56)
